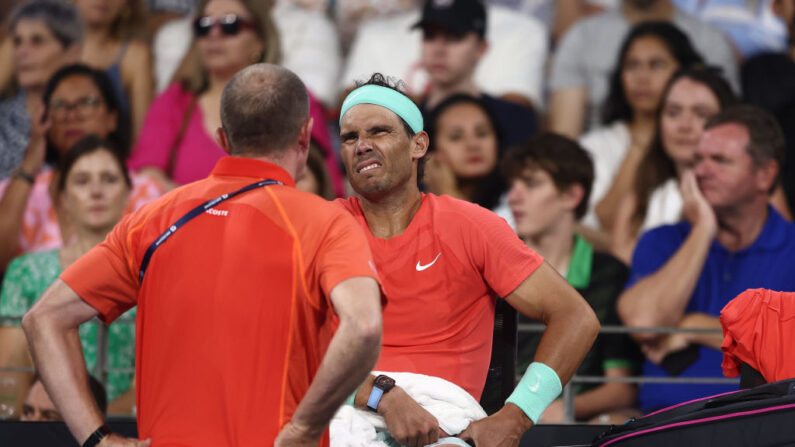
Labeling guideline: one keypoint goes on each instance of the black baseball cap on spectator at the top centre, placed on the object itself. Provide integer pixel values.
(457, 16)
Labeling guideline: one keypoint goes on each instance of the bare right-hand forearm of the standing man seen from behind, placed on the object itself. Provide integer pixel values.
(348, 361)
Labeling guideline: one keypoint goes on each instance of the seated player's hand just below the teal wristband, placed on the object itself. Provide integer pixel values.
(502, 429)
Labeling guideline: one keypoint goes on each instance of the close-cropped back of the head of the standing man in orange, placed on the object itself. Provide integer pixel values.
(262, 109)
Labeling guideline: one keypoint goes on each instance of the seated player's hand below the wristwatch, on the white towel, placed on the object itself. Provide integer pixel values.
(407, 422)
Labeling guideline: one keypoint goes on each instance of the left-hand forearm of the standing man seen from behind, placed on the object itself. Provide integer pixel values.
(59, 361)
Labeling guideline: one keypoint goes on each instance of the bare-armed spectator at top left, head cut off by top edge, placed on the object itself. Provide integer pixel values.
(113, 42)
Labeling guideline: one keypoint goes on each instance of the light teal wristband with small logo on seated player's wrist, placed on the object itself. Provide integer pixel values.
(537, 389)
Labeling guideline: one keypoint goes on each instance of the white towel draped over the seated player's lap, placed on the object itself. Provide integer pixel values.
(453, 407)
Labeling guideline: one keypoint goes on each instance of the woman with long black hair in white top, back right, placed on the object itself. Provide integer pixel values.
(650, 54)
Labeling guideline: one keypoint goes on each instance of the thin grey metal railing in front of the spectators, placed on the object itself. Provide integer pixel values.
(101, 368)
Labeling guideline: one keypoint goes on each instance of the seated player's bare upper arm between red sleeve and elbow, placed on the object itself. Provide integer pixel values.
(544, 293)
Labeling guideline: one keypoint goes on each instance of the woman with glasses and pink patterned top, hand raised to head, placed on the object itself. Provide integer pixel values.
(79, 101)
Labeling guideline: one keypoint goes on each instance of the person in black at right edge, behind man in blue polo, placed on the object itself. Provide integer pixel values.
(768, 83)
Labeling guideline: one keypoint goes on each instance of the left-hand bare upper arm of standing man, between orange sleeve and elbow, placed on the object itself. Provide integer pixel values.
(62, 306)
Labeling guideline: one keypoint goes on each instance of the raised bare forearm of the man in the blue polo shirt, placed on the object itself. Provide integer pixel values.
(661, 298)
